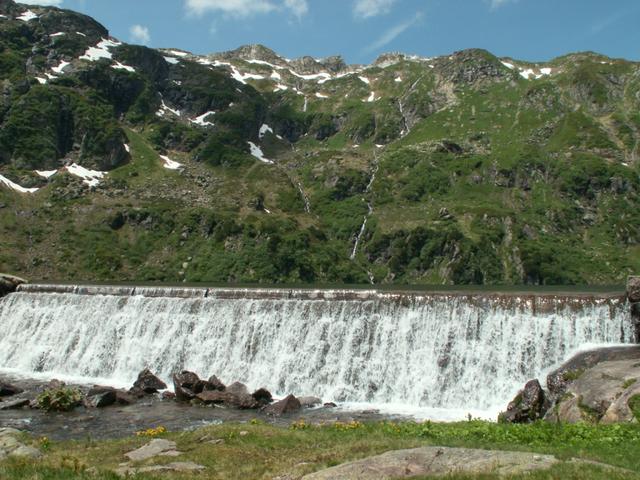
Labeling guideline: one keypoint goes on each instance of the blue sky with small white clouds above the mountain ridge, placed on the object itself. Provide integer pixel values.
(362, 29)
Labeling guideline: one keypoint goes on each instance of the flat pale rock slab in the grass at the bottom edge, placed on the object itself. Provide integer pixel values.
(428, 461)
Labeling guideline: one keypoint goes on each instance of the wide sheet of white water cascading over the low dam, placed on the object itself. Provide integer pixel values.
(465, 352)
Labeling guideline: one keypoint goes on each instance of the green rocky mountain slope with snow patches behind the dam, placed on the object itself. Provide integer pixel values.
(245, 166)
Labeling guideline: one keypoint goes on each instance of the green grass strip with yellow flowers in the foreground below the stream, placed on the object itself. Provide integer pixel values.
(257, 450)
